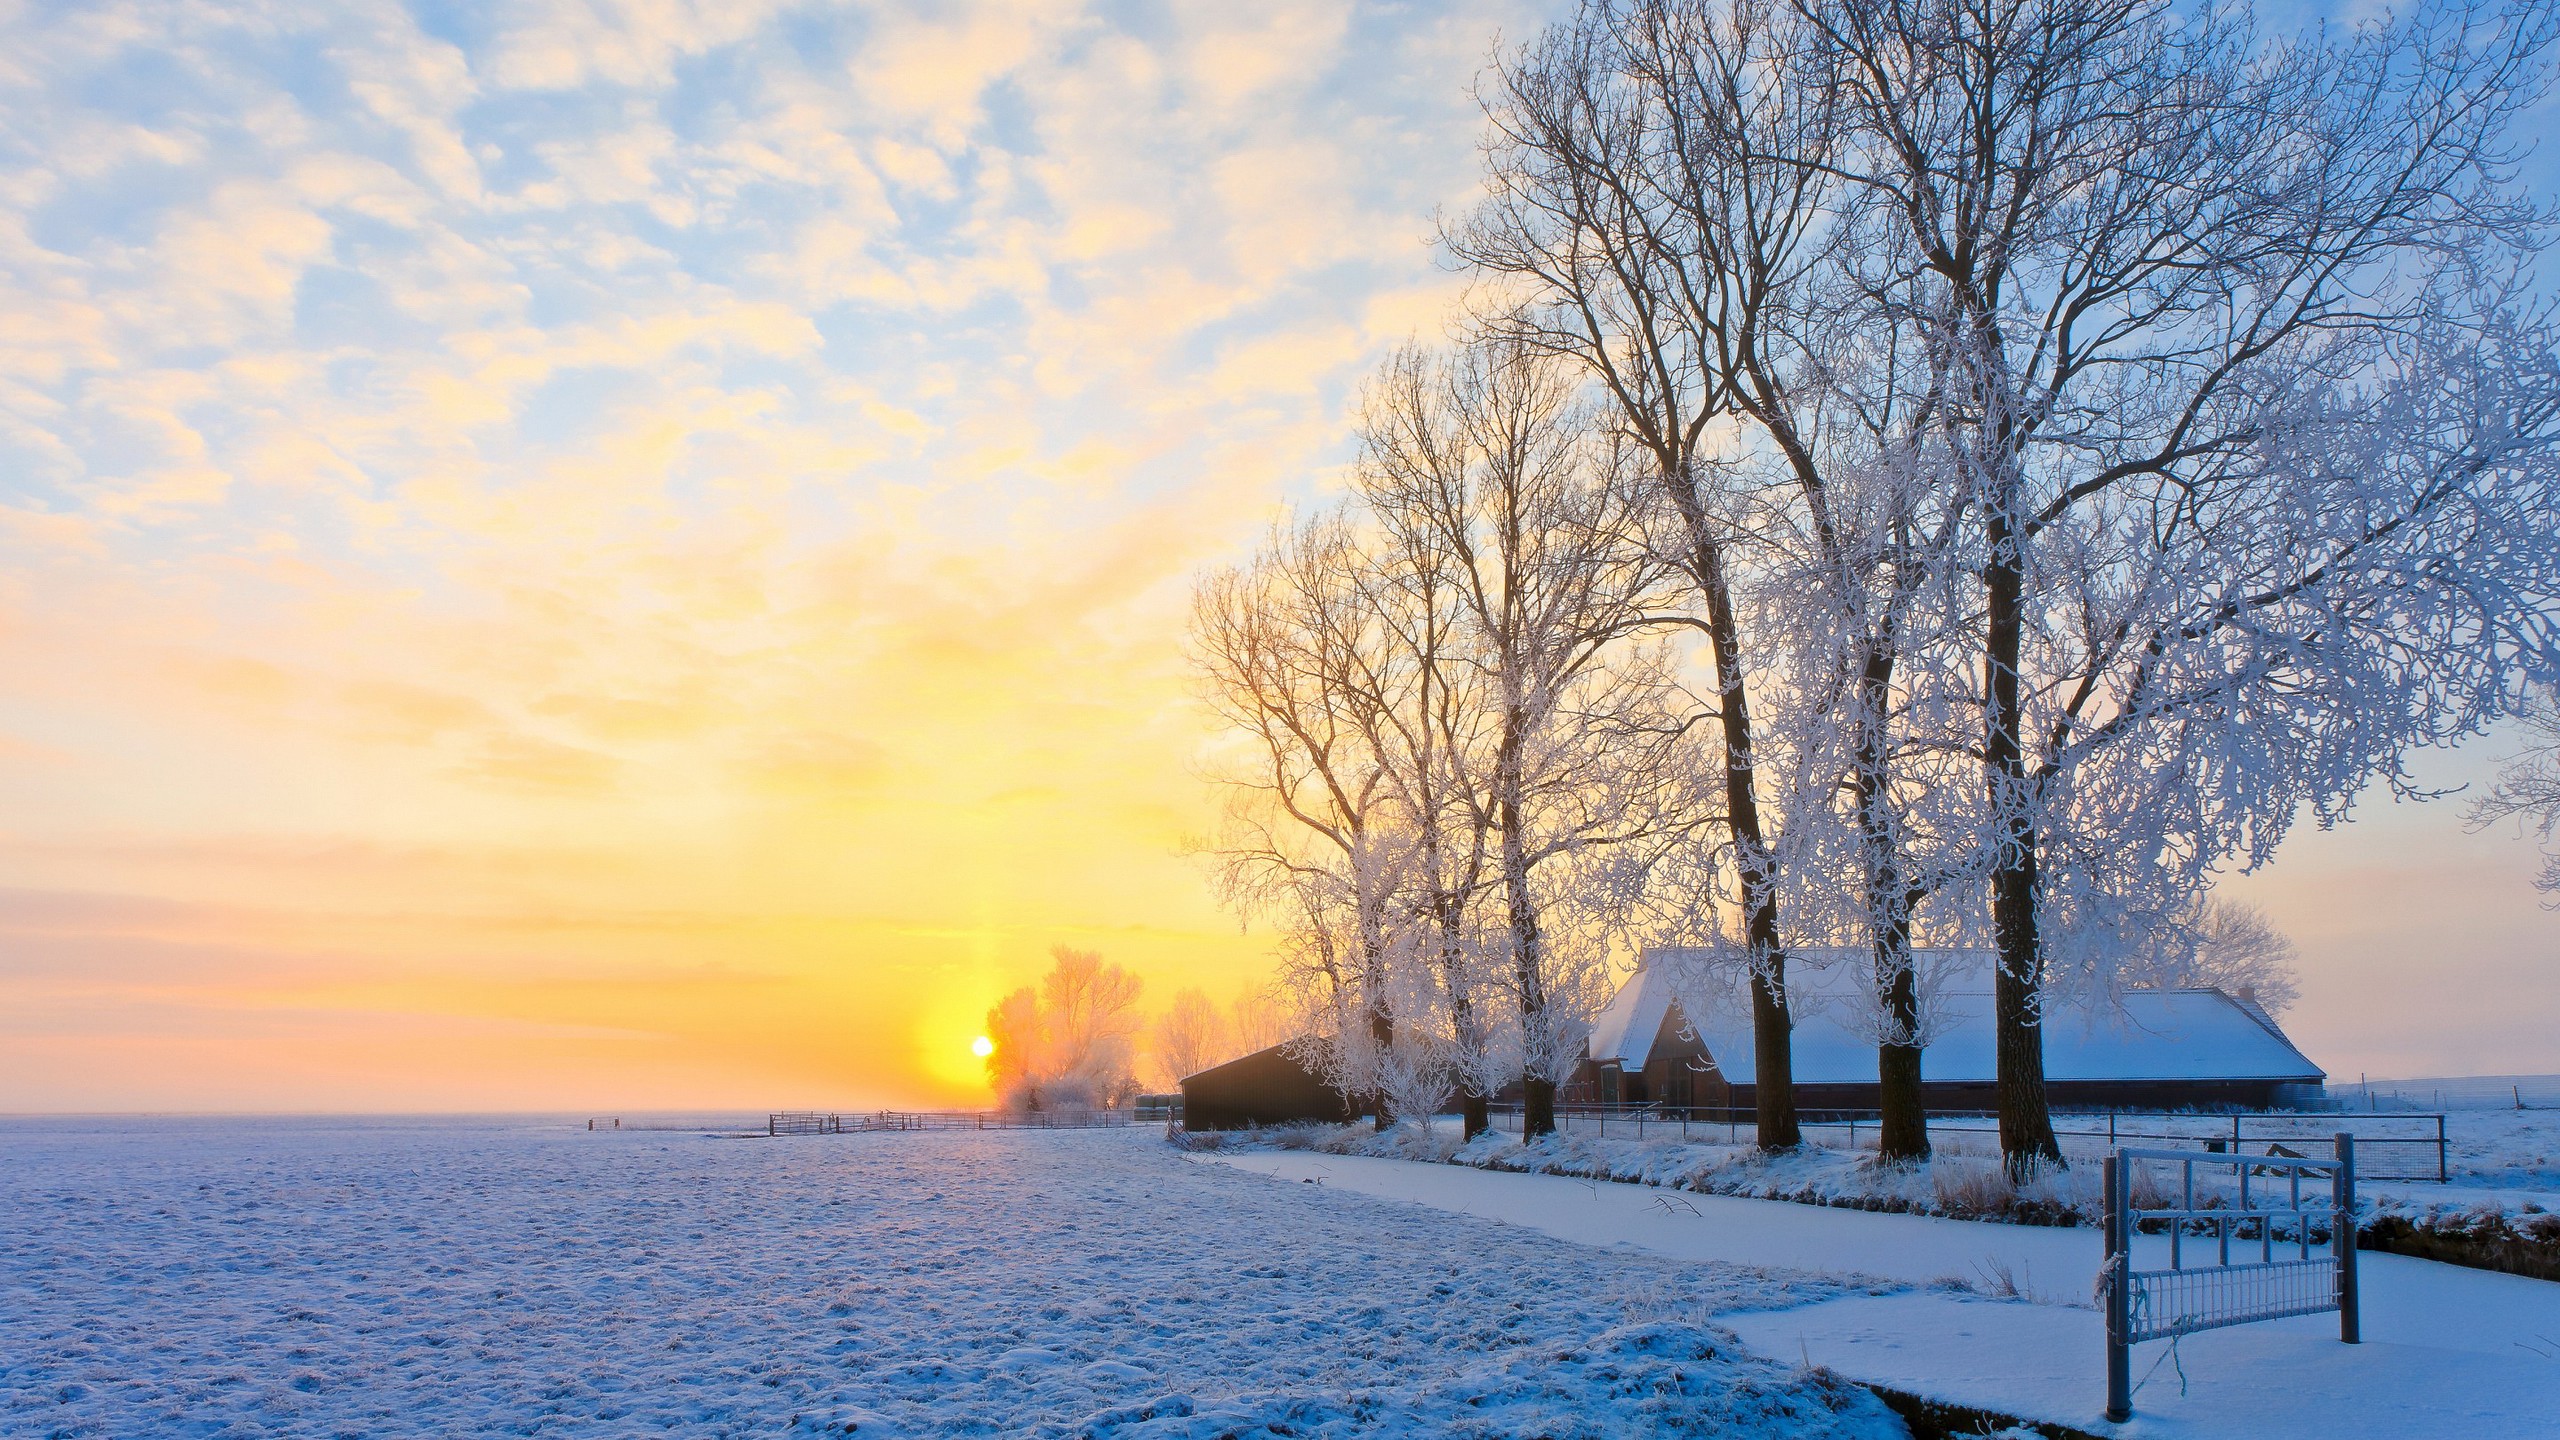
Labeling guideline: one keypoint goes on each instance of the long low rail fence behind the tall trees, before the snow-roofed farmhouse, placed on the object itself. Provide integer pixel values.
(2400, 1147)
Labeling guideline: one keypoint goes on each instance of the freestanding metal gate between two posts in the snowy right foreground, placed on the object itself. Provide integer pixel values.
(2236, 1257)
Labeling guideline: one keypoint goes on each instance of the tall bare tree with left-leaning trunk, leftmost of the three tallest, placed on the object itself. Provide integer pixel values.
(1650, 214)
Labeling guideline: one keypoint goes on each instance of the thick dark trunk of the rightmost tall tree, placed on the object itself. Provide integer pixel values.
(2026, 1124)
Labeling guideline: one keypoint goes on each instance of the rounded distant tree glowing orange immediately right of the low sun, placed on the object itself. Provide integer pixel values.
(1074, 1042)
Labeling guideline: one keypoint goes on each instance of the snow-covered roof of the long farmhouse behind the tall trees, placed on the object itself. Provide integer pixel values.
(2141, 1036)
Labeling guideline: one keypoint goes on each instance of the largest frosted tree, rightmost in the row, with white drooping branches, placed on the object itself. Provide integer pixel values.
(2254, 411)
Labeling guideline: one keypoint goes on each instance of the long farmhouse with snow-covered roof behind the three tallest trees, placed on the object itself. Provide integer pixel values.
(2147, 1049)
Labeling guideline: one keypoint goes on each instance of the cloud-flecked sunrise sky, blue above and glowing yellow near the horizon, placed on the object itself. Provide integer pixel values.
(631, 555)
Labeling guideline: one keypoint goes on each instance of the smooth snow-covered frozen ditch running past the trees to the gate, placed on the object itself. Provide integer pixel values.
(2449, 1352)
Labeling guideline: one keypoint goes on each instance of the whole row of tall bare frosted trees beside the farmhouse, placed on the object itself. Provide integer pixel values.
(1908, 473)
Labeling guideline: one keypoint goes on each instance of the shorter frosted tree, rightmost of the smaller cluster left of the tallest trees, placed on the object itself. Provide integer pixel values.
(1560, 744)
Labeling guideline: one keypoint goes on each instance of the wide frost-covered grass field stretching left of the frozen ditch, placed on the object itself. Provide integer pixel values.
(534, 1280)
